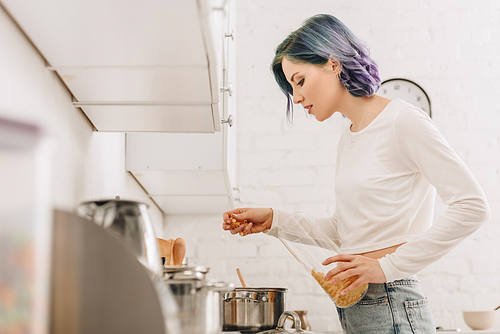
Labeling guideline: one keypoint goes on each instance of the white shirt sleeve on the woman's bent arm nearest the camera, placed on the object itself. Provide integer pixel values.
(424, 149)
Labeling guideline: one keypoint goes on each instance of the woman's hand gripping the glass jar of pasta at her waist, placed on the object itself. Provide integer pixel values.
(367, 269)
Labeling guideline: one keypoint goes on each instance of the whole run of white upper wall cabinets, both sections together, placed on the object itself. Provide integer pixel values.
(153, 69)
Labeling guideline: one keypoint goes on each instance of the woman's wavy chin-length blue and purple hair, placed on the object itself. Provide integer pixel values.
(320, 38)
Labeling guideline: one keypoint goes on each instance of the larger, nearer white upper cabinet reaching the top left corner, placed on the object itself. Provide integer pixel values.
(131, 65)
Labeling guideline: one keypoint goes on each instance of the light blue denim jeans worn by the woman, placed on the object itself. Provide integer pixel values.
(398, 307)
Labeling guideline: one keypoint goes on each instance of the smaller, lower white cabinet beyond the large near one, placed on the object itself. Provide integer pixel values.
(183, 173)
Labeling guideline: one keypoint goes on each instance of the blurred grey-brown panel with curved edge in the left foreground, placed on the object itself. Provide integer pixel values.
(98, 285)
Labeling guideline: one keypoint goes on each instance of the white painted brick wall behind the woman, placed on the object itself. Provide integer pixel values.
(451, 49)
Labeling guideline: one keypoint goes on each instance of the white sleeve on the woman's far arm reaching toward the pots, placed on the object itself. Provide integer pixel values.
(320, 229)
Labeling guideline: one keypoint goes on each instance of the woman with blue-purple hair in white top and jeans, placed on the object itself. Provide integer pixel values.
(390, 162)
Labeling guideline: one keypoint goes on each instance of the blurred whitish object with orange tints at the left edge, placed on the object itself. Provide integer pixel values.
(25, 227)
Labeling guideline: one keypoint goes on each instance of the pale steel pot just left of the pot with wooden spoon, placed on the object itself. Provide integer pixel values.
(198, 308)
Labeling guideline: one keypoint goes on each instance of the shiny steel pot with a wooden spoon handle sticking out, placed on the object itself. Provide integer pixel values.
(253, 309)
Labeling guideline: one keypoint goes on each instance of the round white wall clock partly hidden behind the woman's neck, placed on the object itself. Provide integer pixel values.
(407, 90)
